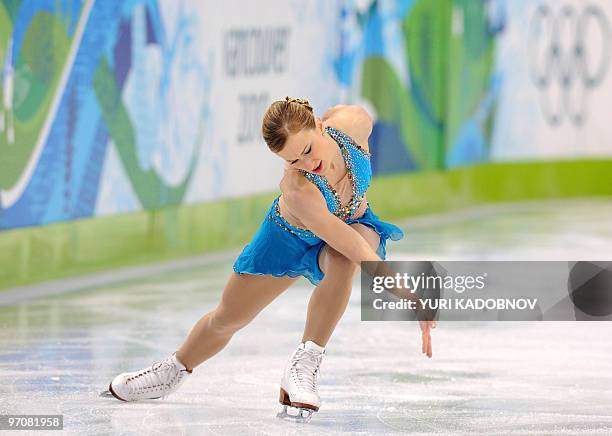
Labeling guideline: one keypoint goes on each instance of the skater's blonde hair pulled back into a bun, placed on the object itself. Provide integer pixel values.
(286, 117)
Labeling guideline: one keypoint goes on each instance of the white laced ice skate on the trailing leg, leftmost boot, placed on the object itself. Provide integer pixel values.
(158, 380)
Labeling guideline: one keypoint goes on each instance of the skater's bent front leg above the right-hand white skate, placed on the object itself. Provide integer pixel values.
(329, 300)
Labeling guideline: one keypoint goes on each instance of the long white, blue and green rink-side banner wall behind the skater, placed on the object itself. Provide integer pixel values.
(106, 106)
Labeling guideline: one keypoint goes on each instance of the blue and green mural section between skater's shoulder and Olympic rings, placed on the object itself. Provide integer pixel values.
(427, 69)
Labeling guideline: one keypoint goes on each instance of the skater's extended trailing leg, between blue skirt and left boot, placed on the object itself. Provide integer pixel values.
(244, 296)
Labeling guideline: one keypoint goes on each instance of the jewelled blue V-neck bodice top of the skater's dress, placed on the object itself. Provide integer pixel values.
(359, 172)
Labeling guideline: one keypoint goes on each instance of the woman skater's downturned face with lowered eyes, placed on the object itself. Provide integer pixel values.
(309, 150)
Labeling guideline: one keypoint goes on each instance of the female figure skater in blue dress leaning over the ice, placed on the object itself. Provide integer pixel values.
(321, 227)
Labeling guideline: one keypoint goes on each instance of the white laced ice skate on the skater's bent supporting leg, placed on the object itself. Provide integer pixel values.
(299, 383)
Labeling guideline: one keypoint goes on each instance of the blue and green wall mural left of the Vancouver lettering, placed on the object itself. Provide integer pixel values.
(78, 77)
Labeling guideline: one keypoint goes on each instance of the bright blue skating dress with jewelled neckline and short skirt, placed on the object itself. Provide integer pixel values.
(282, 249)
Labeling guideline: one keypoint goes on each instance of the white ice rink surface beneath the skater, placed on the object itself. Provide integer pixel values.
(57, 353)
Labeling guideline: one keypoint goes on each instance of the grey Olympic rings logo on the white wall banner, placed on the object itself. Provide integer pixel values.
(568, 55)
